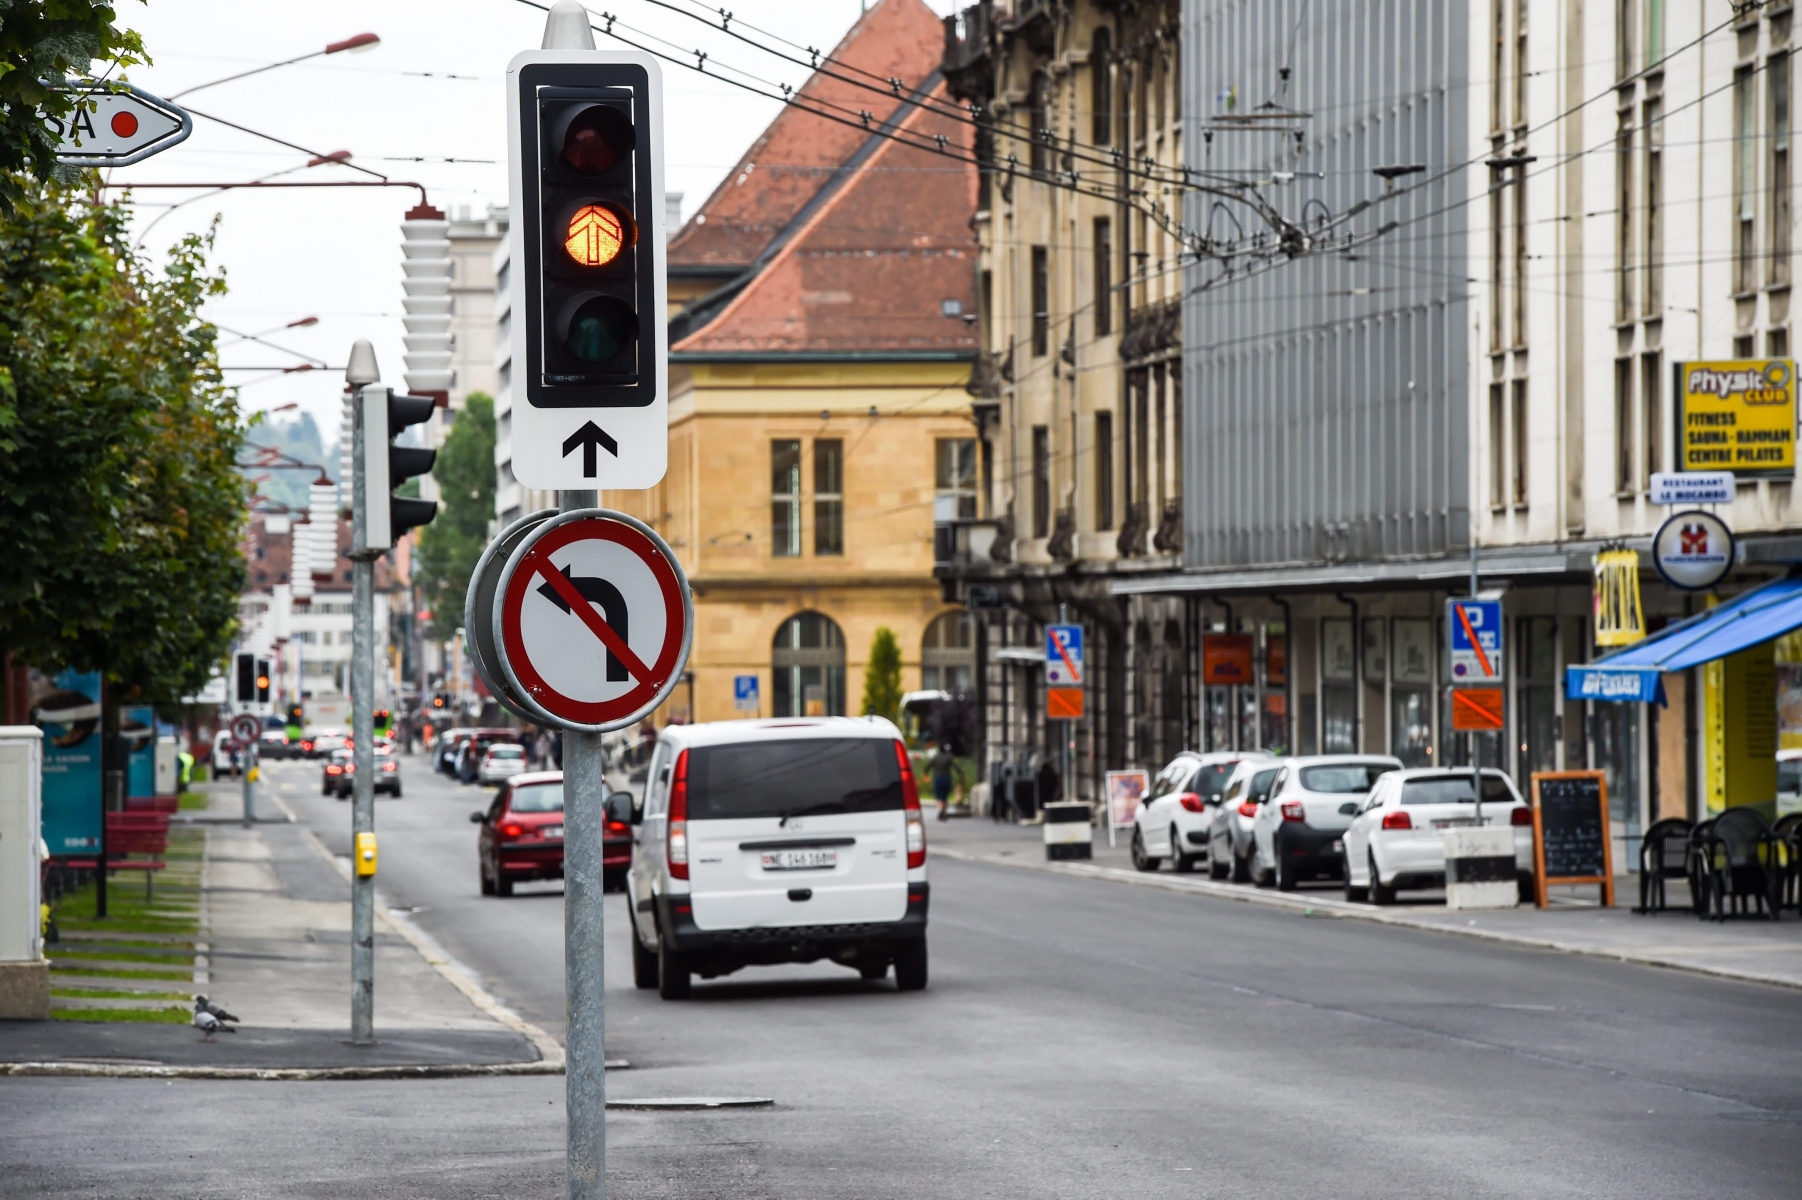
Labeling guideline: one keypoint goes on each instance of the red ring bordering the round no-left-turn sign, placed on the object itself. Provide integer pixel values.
(531, 570)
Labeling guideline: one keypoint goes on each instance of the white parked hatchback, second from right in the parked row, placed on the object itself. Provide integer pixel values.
(1300, 832)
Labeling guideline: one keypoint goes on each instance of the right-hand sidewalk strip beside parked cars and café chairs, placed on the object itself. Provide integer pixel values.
(1767, 952)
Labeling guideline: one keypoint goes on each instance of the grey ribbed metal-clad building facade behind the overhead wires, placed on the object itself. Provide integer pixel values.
(1327, 397)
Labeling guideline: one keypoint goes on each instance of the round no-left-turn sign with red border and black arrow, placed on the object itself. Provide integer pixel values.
(594, 619)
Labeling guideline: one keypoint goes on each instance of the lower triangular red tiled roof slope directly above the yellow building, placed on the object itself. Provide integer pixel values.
(871, 264)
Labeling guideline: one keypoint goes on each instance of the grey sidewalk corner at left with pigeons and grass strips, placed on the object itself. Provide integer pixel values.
(275, 950)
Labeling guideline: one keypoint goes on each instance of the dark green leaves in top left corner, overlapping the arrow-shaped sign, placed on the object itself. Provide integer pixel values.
(44, 42)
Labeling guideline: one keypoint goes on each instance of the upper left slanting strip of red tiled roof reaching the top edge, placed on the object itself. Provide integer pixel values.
(796, 158)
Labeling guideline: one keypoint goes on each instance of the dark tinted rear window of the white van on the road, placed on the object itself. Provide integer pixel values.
(801, 777)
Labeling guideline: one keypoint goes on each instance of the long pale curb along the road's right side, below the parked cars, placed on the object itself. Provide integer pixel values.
(1322, 907)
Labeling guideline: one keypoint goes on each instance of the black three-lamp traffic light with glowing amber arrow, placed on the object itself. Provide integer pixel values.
(594, 226)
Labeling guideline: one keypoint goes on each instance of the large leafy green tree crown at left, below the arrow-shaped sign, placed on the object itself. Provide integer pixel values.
(120, 498)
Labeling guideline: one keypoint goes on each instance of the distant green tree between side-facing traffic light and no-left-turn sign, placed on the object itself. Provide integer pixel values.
(451, 545)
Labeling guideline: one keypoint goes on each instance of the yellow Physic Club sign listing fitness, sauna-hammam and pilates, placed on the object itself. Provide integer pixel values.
(1738, 415)
